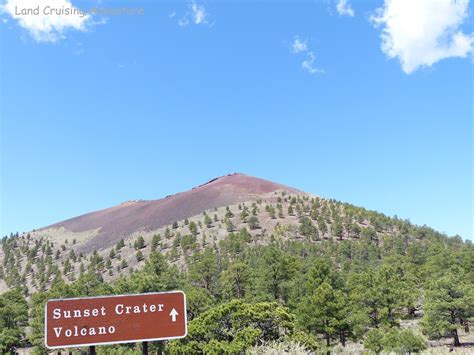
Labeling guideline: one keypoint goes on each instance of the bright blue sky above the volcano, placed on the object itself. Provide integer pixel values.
(138, 107)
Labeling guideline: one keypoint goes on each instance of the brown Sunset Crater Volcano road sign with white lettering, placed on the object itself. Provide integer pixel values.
(115, 319)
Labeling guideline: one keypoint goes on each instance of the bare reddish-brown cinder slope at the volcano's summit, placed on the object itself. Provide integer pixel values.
(122, 220)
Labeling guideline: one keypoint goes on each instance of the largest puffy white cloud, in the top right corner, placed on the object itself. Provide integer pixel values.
(423, 32)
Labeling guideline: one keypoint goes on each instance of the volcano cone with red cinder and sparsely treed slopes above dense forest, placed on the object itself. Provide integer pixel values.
(118, 240)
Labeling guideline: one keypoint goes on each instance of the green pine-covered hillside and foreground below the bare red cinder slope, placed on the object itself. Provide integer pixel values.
(286, 270)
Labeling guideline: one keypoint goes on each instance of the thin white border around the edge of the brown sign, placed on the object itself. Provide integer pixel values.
(119, 341)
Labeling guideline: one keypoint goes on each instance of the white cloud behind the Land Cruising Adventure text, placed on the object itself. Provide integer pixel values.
(44, 24)
